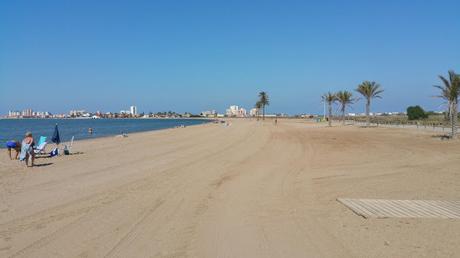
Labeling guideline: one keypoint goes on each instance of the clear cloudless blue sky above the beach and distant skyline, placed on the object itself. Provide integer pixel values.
(200, 55)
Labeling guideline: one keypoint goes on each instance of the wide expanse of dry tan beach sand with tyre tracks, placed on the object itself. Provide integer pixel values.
(249, 190)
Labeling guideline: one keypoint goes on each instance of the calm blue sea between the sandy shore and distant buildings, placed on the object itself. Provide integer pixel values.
(14, 129)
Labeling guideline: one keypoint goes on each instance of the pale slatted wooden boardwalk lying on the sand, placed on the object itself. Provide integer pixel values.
(377, 208)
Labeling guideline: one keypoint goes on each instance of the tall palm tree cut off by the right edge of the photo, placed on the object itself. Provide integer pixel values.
(450, 91)
